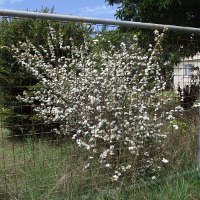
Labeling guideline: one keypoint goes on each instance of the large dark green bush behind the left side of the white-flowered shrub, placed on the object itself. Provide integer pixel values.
(14, 79)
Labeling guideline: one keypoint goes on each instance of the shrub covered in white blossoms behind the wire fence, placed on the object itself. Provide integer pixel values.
(108, 102)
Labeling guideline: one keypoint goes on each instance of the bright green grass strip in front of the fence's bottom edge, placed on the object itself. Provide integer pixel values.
(180, 186)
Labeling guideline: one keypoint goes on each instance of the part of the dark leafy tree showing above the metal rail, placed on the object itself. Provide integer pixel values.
(174, 12)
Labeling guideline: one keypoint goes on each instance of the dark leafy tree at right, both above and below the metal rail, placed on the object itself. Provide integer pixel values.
(174, 12)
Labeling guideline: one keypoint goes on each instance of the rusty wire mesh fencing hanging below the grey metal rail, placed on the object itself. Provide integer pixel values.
(88, 109)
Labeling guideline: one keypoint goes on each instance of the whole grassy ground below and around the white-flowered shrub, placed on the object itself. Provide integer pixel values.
(40, 169)
